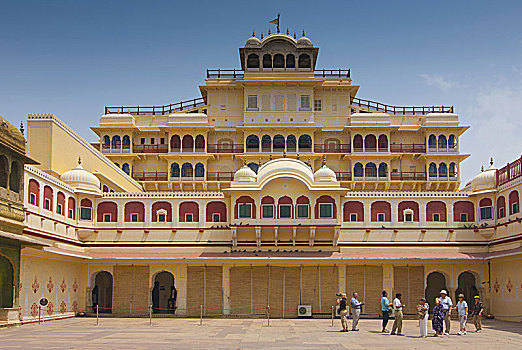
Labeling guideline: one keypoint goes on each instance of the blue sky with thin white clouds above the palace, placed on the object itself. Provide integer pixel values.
(72, 58)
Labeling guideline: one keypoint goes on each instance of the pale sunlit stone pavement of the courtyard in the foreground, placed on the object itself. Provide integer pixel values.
(177, 333)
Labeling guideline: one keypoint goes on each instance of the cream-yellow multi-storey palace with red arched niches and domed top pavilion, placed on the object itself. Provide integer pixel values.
(277, 187)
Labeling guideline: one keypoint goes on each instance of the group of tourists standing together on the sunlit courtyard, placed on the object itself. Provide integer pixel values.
(441, 313)
